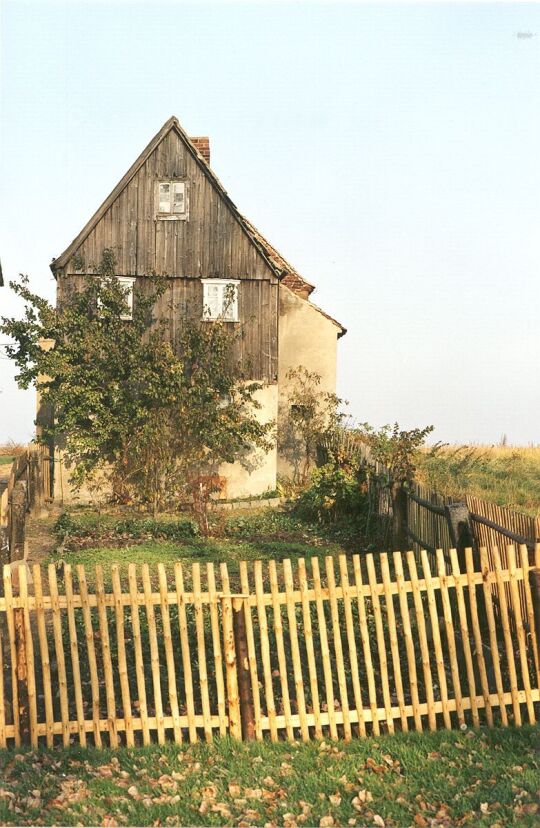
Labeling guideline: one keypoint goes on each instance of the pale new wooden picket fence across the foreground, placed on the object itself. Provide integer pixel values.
(385, 642)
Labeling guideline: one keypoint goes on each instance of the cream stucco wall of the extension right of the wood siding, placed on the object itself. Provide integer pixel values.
(306, 338)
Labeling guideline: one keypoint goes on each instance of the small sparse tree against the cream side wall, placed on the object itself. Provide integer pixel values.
(313, 416)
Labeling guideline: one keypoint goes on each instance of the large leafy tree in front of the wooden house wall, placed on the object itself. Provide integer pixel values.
(150, 413)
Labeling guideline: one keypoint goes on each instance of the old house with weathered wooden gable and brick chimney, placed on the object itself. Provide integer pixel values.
(170, 214)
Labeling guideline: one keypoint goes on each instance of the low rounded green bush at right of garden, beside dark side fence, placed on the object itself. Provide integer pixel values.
(334, 492)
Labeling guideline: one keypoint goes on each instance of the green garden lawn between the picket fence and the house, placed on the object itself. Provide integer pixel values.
(239, 536)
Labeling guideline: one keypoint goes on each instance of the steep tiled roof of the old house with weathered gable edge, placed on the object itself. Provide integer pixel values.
(284, 271)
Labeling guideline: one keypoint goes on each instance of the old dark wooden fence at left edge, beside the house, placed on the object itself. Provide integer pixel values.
(28, 489)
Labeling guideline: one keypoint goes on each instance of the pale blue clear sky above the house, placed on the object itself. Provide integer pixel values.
(389, 152)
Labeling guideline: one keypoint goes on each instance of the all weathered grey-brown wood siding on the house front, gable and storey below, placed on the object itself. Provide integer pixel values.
(210, 243)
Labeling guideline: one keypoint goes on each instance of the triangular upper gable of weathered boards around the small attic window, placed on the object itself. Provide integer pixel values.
(210, 243)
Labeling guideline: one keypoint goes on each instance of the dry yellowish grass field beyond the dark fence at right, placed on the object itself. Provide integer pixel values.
(506, 475)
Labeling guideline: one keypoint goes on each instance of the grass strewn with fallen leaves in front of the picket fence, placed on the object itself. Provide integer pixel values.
(482, 778)
